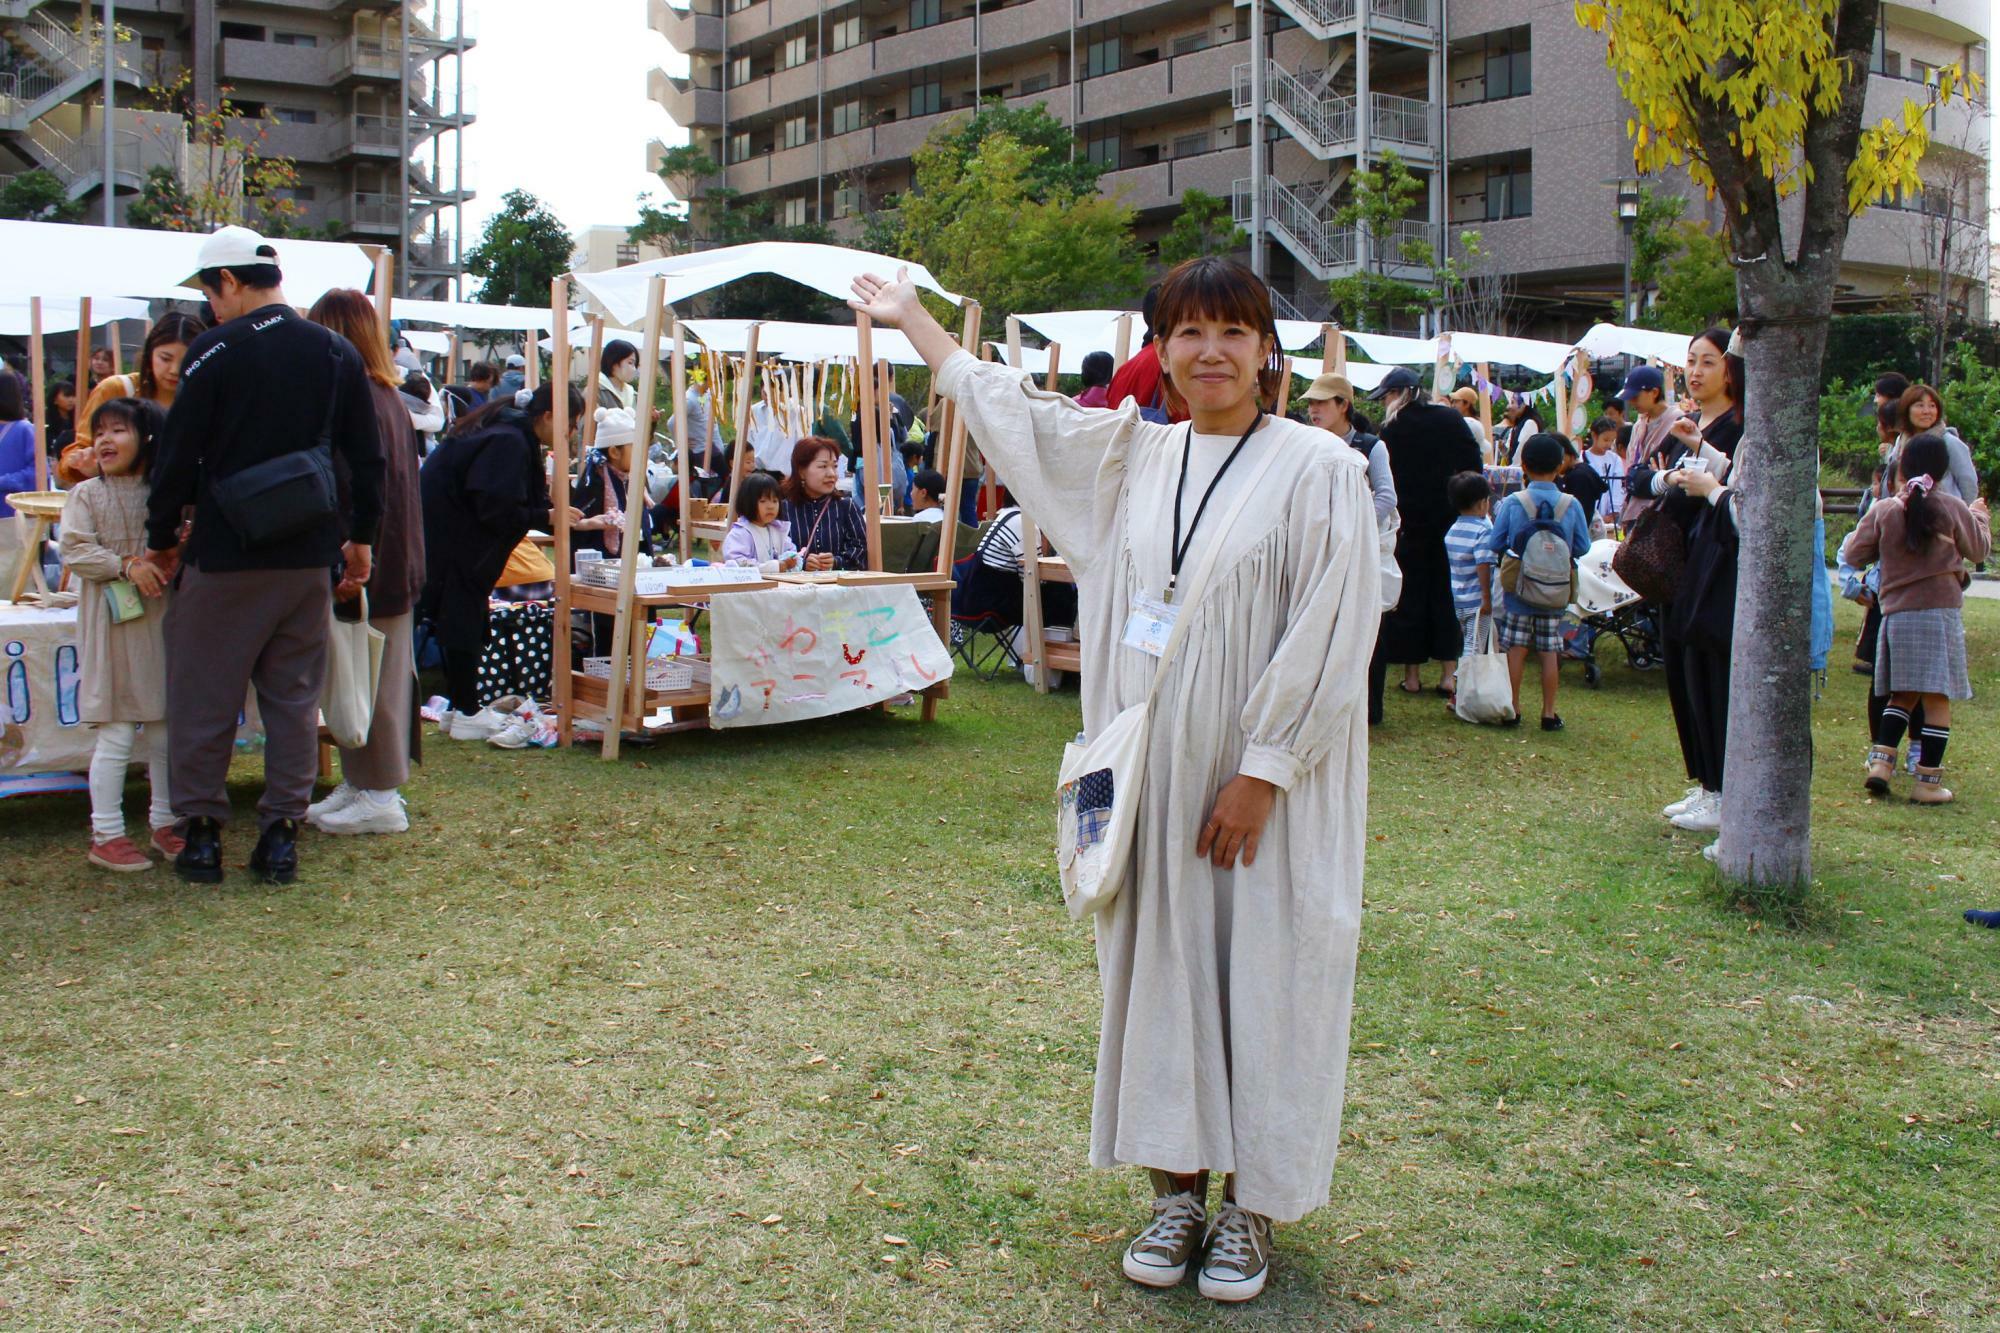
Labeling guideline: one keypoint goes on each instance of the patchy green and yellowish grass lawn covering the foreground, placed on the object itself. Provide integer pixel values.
(791, 1030)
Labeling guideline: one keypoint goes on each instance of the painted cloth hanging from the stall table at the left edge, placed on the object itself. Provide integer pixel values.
(41, 730)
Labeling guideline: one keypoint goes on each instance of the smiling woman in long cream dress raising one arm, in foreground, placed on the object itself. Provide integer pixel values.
(1229, 952)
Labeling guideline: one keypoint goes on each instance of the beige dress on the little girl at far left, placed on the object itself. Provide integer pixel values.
(123, 665)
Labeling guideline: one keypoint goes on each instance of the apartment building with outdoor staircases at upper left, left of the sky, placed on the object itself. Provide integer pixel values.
(369, 97)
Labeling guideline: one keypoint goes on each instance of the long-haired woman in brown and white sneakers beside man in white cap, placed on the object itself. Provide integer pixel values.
(371, 778)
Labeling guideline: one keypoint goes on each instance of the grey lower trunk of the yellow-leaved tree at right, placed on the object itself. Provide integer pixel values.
(1767, 792)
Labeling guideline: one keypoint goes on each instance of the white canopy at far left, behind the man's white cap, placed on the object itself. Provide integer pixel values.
(57, 259)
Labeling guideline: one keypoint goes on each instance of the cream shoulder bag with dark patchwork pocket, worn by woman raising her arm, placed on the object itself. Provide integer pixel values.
(1103, 780)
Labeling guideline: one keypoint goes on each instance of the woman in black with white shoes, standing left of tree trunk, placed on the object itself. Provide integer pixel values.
(1699, 625)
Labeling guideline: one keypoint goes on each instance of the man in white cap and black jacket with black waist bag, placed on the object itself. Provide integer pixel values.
(251, 609)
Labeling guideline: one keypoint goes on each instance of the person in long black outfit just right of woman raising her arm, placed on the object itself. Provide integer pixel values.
(1427, 445)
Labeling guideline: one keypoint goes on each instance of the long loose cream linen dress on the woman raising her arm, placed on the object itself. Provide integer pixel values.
(1227, 994)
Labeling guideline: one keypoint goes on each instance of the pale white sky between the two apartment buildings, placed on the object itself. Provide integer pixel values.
(563, 111)
